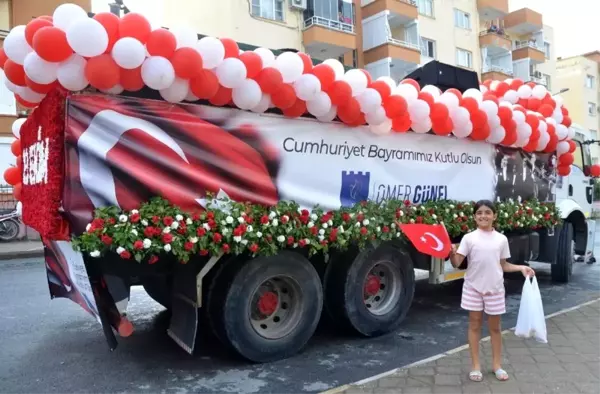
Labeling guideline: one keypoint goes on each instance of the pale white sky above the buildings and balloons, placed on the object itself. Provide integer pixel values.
(575, 22)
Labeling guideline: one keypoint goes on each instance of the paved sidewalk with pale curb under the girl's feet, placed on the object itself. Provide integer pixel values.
(568, 363)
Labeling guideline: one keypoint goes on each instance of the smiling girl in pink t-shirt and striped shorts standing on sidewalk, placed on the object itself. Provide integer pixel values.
(483, 289)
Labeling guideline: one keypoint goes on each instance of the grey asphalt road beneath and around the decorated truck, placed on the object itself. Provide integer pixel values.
(55, 347)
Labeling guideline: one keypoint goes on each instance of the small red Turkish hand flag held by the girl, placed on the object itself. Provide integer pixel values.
(430, 239)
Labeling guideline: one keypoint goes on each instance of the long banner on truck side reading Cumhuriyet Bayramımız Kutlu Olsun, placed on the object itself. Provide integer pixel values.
(122, 151)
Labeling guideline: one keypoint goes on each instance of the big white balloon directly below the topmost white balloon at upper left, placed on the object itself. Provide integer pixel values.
(87, 37)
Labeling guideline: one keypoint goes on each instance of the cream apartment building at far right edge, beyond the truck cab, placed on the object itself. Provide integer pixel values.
(580, 75)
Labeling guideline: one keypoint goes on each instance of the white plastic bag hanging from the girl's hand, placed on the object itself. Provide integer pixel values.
(531, 322)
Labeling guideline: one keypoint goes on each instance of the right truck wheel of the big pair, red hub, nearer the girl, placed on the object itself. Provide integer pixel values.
(372, 292)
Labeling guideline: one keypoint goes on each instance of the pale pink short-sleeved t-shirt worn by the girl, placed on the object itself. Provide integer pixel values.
(484, 250)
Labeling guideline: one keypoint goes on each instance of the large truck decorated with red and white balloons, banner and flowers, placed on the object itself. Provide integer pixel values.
(252, 194)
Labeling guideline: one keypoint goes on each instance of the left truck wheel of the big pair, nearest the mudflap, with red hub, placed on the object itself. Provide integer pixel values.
(267, 308)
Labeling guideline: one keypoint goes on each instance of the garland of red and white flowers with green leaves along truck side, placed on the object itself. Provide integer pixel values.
(229, 227)
